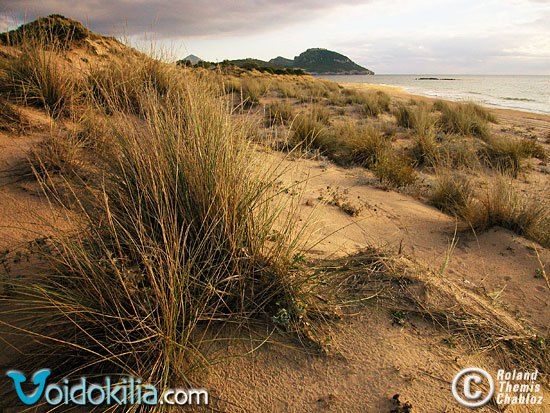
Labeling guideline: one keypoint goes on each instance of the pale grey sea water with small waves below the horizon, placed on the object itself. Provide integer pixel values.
(527, 93)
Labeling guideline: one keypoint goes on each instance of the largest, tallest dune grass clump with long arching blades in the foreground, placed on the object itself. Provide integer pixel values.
(174, 238)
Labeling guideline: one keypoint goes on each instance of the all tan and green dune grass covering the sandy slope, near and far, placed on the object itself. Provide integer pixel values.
(183, 225)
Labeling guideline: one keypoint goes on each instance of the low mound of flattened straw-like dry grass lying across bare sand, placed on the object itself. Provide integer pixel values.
(398, 286)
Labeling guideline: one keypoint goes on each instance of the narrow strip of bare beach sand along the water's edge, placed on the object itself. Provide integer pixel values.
(399, 92)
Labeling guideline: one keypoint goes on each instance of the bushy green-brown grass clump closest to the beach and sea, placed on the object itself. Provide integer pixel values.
(465, 119)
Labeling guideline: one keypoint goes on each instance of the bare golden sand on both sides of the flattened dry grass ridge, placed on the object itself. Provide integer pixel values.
(375, 359)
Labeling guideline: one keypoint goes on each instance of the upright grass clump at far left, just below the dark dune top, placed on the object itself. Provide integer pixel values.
(38, 77)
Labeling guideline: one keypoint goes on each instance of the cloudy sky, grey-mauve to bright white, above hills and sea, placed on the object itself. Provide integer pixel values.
(397, 36)
